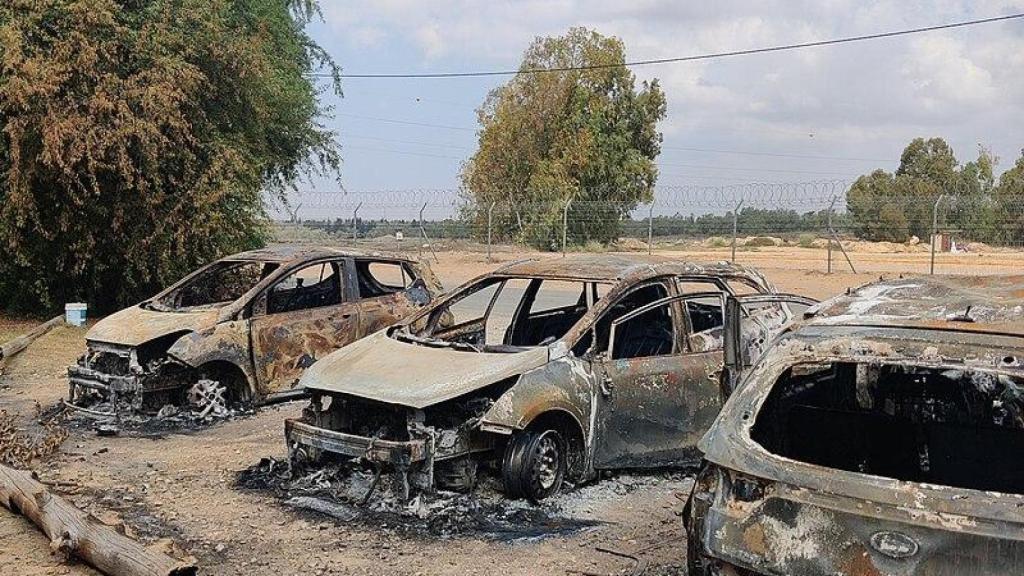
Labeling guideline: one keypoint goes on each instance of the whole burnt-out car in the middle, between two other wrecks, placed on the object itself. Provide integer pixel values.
(545, 371)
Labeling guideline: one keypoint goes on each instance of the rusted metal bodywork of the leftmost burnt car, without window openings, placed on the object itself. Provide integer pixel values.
(151, 349)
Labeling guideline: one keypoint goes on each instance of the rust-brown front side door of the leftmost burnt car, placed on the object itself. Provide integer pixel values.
(345, 318)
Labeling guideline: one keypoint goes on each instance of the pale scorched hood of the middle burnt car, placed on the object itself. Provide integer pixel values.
(387, 371)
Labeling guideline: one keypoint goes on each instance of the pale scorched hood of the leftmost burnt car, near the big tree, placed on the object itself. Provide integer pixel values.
(136, 326)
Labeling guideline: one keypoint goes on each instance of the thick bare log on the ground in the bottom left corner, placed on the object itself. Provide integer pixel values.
(76, 533)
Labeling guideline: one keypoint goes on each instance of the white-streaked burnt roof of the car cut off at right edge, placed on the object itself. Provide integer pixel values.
(994, 304)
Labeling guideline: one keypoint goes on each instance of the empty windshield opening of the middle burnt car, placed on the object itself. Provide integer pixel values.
(507, 314)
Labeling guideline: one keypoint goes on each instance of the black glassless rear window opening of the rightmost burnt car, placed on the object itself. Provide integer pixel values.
(962, 429)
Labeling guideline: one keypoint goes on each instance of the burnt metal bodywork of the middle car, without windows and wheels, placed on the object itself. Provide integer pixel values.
(467, 398)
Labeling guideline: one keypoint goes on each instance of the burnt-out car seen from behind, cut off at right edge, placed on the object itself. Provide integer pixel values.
(881, 436)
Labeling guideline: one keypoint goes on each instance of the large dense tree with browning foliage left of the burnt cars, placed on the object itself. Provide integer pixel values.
(139, 138)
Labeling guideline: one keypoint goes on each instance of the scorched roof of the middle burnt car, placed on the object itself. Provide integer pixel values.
(614, 268)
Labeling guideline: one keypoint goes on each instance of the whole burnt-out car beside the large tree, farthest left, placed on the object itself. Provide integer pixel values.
(243, 330)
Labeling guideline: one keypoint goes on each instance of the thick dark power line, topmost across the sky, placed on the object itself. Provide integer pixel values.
(696, 58)
